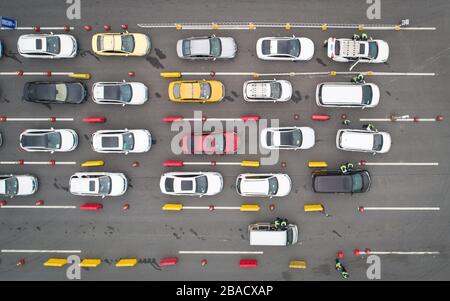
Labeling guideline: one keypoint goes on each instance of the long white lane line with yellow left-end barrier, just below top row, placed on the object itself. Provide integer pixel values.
(177, 74)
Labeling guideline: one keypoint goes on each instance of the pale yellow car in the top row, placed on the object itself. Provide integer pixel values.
(121, 44)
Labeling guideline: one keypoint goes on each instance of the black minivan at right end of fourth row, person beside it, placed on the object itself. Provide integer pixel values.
(337, 182)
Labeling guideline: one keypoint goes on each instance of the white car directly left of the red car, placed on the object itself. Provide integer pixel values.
(122, 141)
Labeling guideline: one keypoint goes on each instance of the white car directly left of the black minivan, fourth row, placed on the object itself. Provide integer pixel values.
(263, 185)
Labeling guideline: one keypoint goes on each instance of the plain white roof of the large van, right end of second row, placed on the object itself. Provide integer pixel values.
(341, 94)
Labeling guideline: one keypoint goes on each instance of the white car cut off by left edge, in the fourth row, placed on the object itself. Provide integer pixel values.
(17, 185)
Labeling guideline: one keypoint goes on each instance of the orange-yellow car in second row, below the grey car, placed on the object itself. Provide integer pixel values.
(196, 91)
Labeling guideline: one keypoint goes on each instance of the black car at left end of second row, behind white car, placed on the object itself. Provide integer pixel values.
(54, 92)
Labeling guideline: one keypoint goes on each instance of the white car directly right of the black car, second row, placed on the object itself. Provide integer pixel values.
(120, 93)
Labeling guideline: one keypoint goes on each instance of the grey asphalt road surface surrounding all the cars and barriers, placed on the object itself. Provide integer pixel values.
(148, 233)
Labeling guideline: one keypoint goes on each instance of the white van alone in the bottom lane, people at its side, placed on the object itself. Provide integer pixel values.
(263, 234)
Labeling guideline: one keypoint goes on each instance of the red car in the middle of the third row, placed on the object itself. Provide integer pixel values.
(210, 143)
